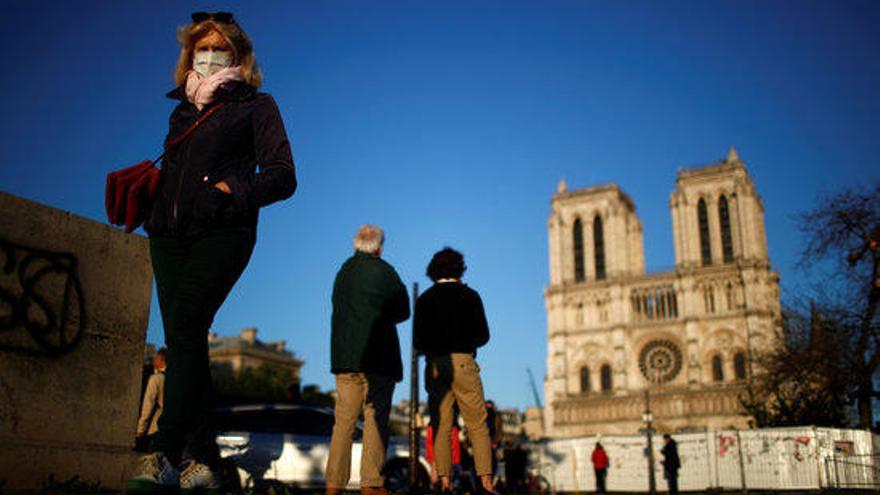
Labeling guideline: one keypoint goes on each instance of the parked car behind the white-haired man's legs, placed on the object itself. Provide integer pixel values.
(263, 445)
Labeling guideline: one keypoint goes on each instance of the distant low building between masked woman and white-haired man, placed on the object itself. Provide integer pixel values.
(236, 353)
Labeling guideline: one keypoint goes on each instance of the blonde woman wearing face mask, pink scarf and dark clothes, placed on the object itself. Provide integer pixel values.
(202, 230)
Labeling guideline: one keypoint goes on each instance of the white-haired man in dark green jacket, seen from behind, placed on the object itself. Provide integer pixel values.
(368, 301)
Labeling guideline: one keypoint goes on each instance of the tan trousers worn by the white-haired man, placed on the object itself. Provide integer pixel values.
(357, 392)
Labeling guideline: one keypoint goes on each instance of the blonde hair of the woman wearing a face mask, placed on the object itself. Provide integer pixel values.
(239, 43)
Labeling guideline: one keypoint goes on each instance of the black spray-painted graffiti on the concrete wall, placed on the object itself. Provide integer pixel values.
(42, 309)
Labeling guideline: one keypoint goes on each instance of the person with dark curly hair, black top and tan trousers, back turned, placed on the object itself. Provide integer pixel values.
(450, 324)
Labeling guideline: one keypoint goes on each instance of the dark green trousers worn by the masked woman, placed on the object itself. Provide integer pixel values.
(193, 278)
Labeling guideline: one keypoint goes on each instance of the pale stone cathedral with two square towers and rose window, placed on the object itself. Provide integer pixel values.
(686, 336)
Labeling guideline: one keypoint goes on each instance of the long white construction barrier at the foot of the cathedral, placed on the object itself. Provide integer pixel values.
(802, 458)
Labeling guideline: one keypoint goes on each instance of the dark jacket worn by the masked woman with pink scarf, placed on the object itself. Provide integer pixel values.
(246, 132)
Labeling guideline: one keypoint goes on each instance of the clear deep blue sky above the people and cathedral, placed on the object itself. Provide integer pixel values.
(450, 123)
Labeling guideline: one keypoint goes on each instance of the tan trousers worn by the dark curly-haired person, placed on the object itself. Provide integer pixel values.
(456, 379)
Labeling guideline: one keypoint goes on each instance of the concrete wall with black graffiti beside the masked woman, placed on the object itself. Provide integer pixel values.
(74, 304)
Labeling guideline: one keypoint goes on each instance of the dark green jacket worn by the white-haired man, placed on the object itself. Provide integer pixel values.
(368, 301)
